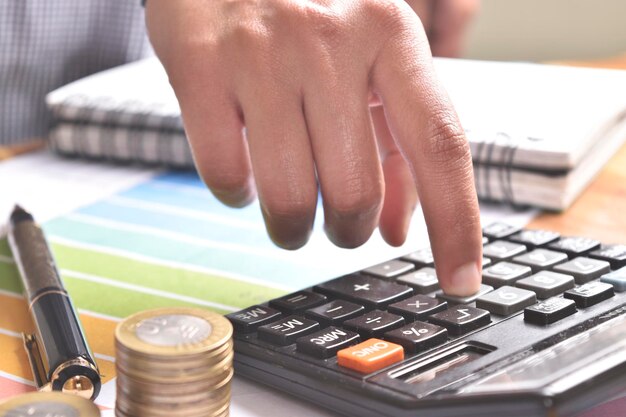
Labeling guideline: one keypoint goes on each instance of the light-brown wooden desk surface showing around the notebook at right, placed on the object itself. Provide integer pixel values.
(600, 212)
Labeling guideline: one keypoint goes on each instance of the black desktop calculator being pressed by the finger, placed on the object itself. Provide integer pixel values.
(544, 336)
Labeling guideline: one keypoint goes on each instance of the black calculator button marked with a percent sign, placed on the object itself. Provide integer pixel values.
(418, 336)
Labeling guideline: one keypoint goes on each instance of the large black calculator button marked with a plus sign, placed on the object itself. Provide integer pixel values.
(372, 291)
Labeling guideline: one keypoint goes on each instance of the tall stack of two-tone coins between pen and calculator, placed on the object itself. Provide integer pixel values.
(174, 362)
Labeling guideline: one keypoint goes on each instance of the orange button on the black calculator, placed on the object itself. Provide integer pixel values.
(370, 356)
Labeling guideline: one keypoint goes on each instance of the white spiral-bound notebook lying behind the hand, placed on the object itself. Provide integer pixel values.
(538, 134)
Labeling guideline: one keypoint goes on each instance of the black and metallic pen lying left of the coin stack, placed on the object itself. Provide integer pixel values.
(58, 352)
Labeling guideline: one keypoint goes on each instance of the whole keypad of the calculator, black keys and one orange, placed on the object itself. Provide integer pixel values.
(371, 319)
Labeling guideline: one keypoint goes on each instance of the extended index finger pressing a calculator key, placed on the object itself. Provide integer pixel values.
(428, 133)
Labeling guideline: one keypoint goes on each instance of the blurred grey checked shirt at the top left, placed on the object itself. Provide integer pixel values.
(47, 43)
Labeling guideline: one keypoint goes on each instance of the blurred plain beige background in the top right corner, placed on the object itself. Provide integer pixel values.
(539, 30)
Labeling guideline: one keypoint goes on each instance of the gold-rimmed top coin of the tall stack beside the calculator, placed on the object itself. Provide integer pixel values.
(169, 332)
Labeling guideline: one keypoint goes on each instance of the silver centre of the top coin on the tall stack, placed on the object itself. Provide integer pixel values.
(173, 330)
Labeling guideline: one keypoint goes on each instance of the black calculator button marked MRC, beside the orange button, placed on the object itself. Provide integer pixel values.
(325, 343)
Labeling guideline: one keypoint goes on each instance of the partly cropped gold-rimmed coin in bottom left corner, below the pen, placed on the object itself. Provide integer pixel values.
(46, 404)
